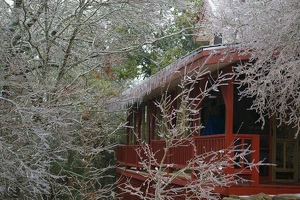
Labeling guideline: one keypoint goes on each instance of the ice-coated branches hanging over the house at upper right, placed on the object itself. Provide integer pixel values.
(268, 30)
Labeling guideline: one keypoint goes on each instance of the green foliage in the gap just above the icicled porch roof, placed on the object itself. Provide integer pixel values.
(171, 42)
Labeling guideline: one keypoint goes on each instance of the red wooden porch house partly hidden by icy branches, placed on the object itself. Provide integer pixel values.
(272, 144)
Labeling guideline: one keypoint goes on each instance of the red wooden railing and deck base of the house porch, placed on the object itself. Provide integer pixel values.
(129, 165)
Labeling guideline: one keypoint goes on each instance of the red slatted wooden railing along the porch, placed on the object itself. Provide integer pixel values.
(179, 156)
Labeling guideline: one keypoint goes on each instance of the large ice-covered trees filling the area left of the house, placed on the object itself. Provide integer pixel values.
(56, 60)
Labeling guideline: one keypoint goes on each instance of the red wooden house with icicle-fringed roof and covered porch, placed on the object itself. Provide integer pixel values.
(270, 144)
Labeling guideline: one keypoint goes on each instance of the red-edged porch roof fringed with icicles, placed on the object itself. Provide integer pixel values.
(204, 58)
